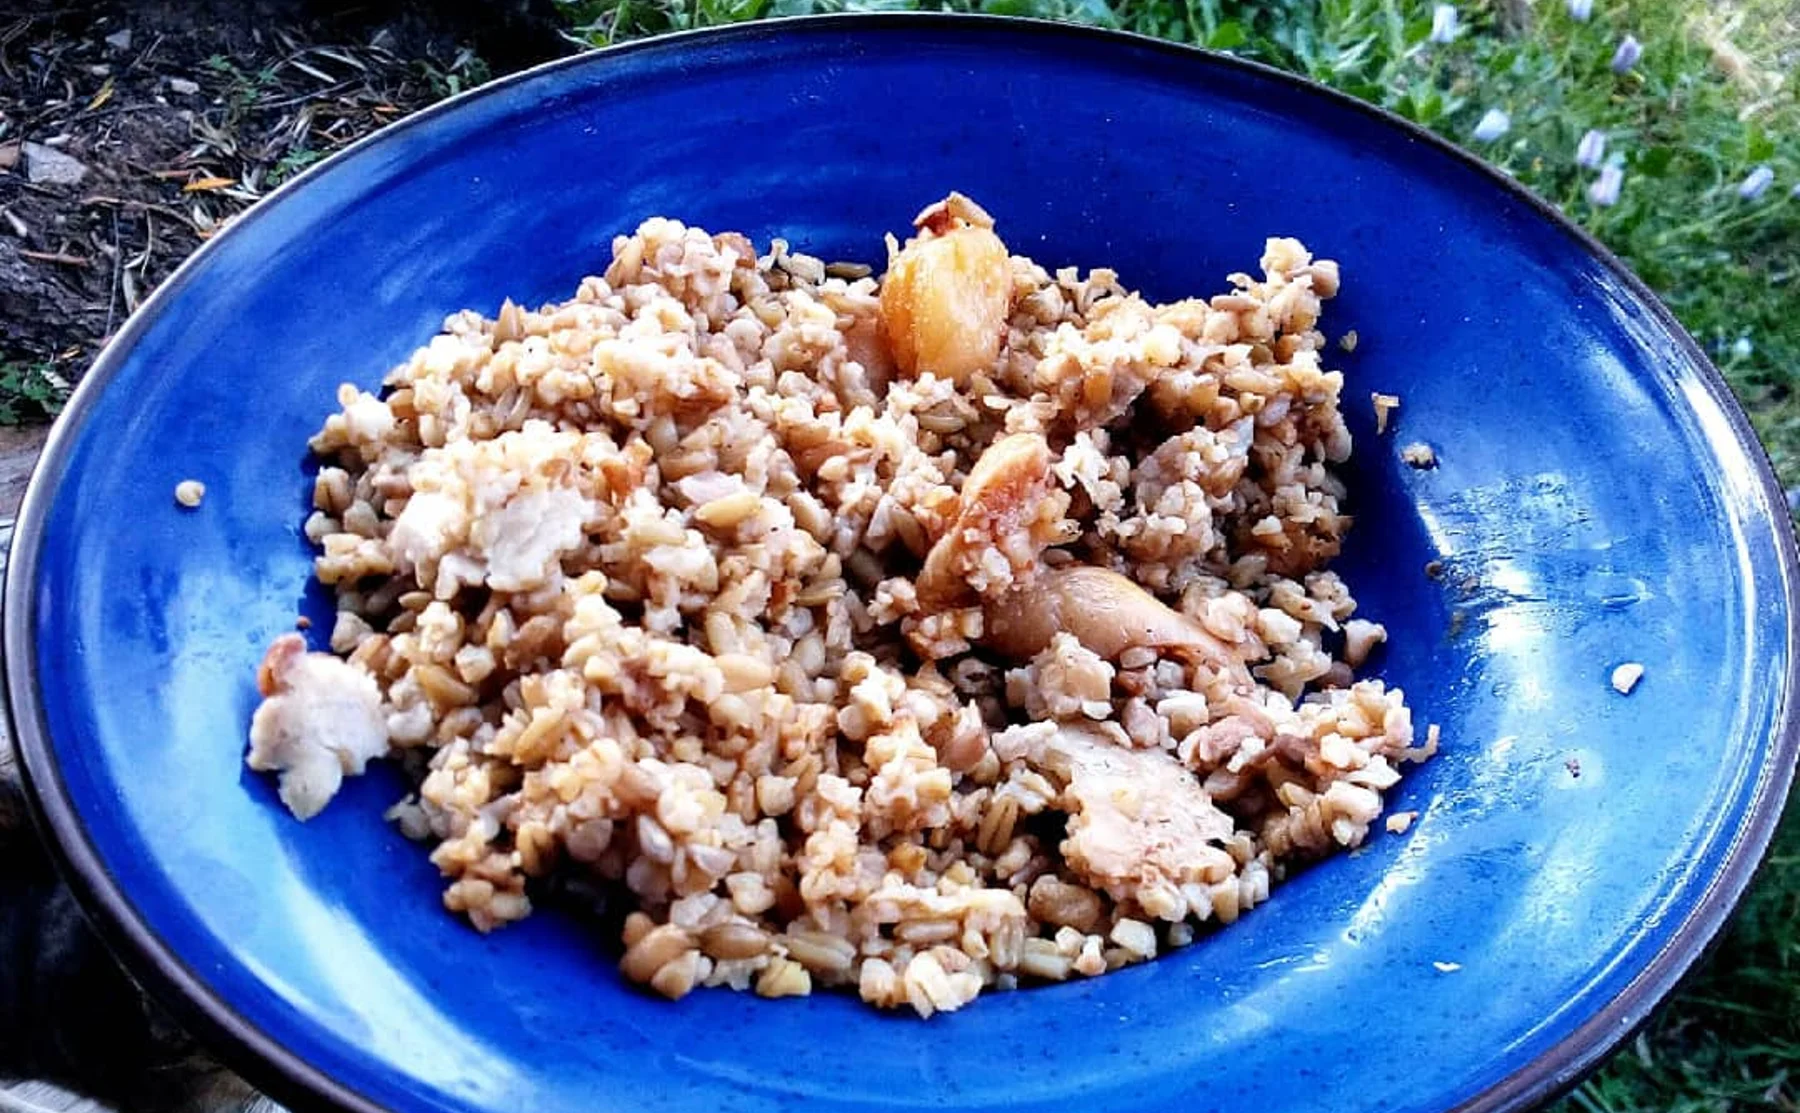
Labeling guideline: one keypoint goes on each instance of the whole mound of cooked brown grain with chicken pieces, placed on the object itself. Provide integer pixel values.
(958, 629)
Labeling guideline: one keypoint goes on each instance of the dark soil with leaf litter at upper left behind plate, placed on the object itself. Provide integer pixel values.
(134, 131)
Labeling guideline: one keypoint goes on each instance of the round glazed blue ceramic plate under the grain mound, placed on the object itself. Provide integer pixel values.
(1599, 500)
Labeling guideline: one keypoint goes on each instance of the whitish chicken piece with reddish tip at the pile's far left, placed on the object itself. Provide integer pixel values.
(319, 721)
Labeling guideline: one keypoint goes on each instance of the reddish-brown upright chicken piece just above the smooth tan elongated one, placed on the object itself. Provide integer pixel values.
(1009, 511)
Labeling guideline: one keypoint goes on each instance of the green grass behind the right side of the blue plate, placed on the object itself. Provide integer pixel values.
(1686, 125)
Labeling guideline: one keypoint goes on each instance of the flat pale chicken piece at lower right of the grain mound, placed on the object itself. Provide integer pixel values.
(1140, 824)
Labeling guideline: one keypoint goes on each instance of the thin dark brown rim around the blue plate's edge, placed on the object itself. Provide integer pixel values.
(301, 1085)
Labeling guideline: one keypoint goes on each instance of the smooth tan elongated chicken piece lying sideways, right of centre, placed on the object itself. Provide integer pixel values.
(1106, 613)
